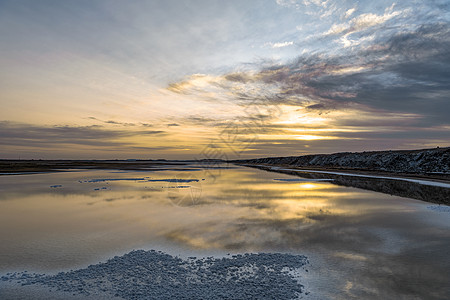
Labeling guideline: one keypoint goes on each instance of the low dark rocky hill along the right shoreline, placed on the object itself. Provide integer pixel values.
(423, 161)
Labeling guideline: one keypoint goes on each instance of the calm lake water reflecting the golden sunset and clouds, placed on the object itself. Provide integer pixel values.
(360, 244)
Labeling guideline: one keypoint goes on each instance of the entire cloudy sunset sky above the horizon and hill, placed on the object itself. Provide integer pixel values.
(110, 79)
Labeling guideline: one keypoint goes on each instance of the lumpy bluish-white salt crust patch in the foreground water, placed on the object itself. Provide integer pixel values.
(156, 275)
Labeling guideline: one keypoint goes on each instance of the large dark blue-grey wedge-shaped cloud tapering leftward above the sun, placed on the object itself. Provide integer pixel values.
(407, 72)
